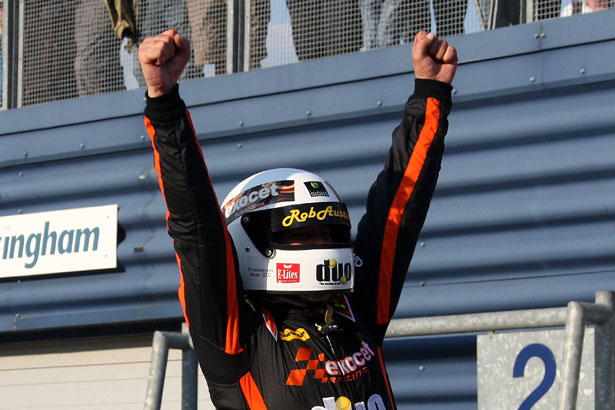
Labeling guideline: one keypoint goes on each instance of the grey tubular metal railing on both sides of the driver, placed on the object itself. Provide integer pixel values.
(575, 317)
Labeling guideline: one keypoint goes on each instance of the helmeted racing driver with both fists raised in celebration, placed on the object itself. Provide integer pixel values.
(285, 310)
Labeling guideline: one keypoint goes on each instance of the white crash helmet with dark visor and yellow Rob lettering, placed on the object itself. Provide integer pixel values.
(265, 210)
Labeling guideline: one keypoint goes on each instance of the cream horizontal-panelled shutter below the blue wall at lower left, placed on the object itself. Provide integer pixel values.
(88, 374)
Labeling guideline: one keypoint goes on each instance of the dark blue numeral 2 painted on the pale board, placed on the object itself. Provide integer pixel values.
(543, 353)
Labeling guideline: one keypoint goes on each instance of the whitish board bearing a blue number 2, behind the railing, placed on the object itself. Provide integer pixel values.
(524, 370)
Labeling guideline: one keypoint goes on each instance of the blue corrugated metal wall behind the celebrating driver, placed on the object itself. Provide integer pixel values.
(523, 216)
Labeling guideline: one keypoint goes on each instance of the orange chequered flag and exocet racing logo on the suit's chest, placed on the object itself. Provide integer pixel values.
(334, 371)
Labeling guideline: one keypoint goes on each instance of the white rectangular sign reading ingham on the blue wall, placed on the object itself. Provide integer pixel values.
(72, 240)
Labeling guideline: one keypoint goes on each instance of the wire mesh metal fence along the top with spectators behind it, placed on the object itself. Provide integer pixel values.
(59, 49)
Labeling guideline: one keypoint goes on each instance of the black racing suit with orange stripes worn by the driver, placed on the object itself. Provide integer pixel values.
(276, 356)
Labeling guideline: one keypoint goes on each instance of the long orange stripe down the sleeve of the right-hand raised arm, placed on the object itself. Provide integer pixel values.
(400, 201)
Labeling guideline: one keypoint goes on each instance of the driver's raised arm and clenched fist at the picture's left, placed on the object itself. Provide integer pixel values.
(210, 289)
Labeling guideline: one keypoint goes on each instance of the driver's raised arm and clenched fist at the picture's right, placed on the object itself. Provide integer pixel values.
(398, 201)
